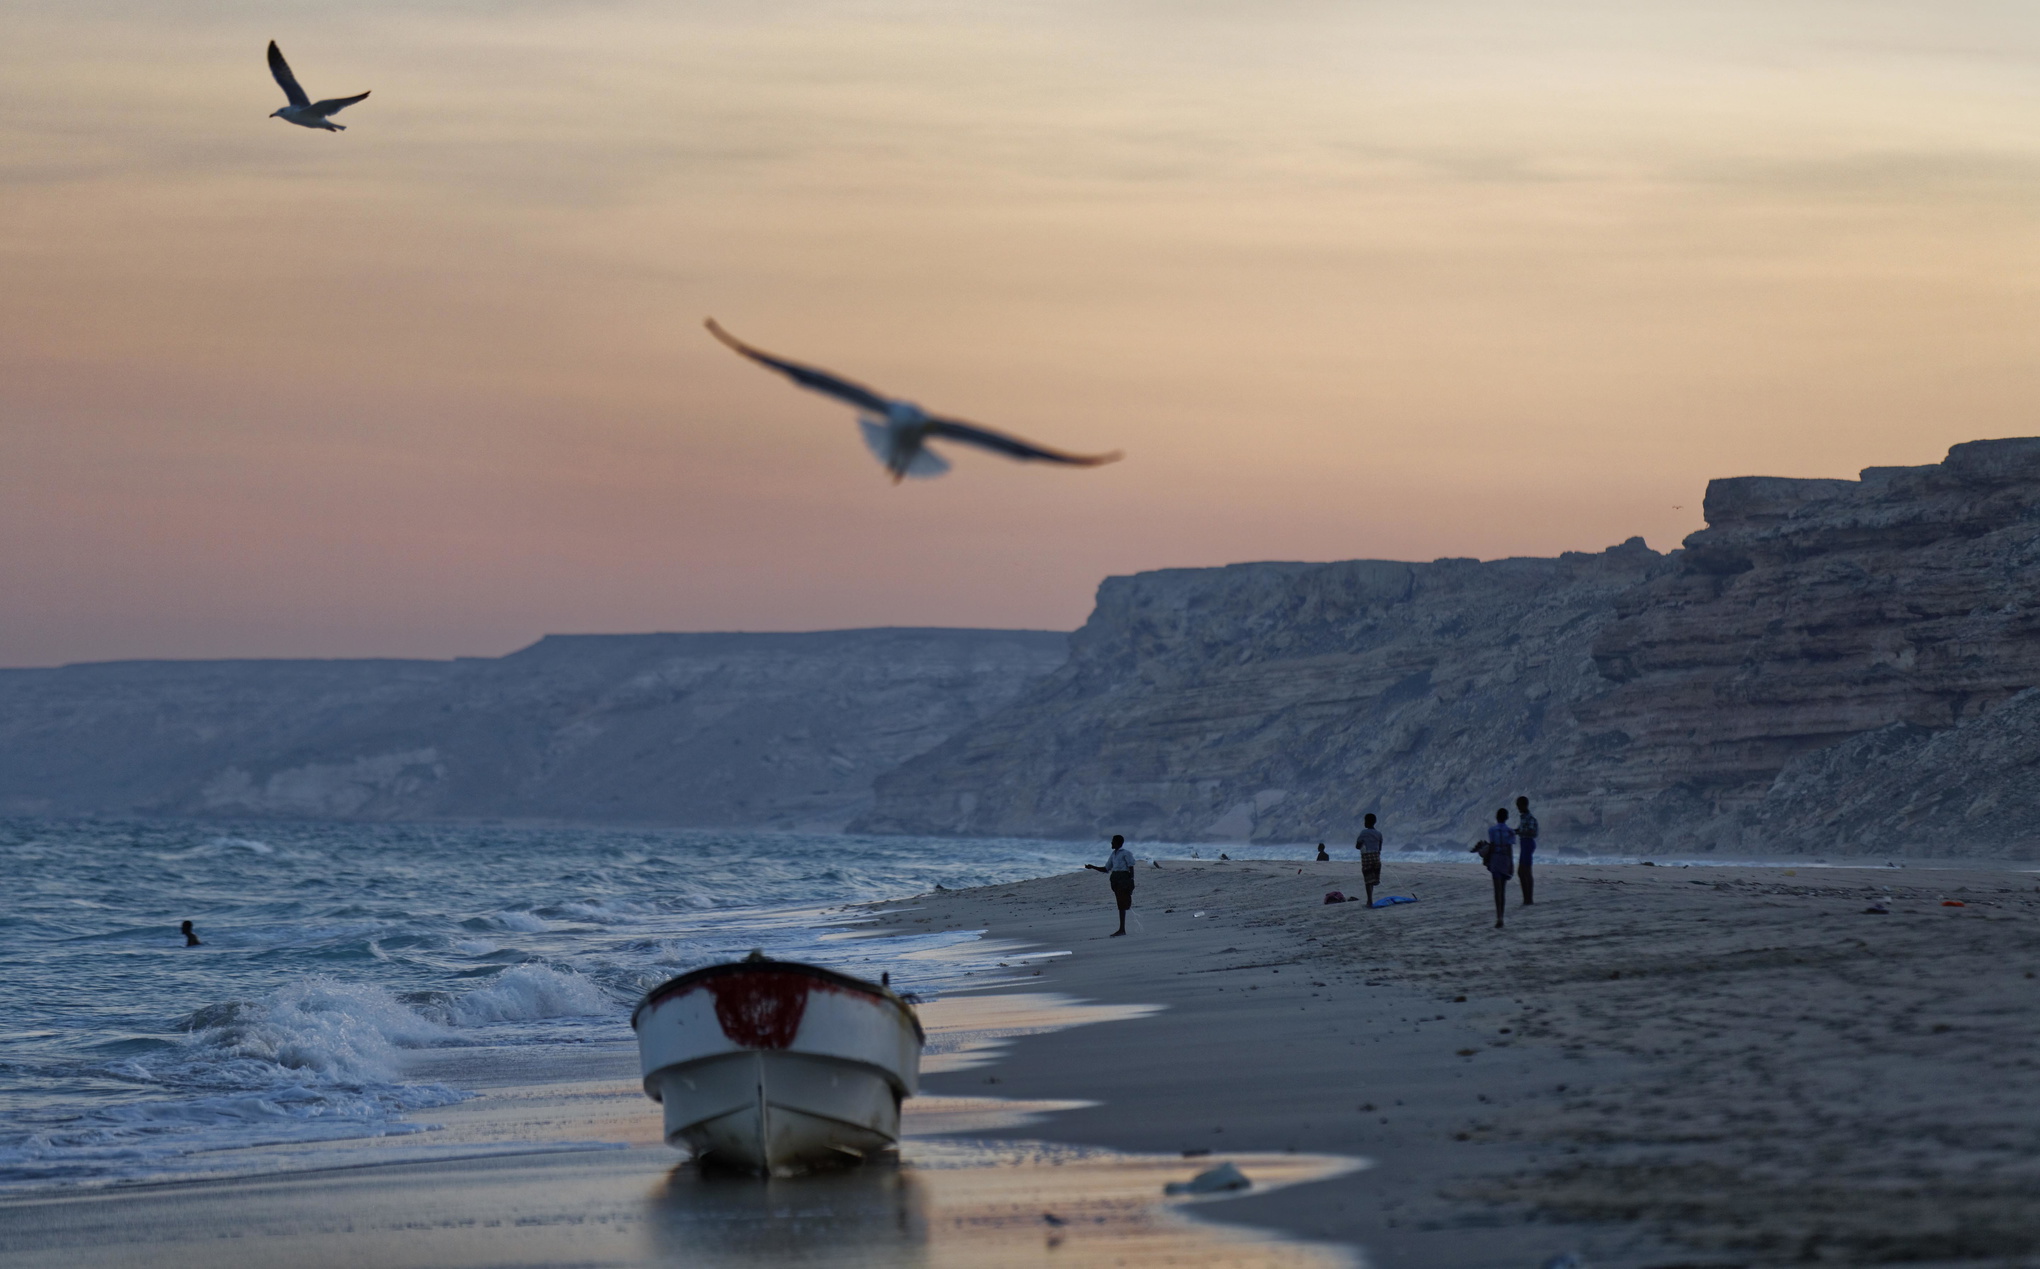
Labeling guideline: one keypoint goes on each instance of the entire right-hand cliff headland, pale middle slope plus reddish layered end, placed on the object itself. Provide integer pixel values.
(1829, 668)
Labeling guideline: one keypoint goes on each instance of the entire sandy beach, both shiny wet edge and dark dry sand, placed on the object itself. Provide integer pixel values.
(1653, 1066)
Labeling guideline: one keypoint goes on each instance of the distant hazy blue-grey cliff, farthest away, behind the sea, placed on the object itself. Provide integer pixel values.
(654, 729)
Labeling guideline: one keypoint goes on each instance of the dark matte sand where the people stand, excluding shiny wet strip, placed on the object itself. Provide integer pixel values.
(1655, 1066)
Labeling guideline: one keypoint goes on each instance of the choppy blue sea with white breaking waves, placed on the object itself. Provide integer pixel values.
(338, 954)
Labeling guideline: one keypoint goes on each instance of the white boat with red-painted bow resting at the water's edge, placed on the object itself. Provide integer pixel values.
(774, 1066)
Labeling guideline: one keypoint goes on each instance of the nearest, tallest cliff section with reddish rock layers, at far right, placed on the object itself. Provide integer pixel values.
(1825, 668)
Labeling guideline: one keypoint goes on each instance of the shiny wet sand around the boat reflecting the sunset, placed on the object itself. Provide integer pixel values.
(558, 1168)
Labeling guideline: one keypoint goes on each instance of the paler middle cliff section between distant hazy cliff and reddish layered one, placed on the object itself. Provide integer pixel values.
(1282, 701)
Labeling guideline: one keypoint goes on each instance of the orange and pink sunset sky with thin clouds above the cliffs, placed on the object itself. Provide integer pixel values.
(1364, 278)
